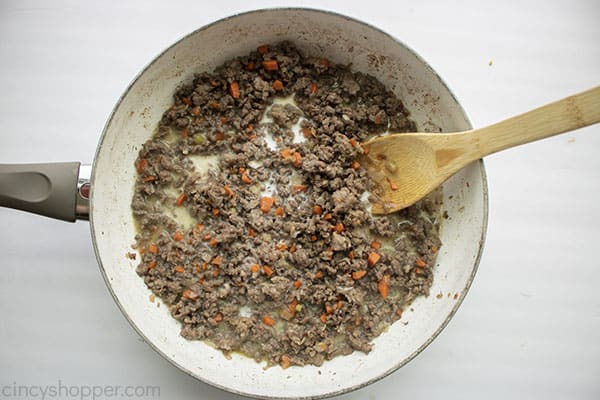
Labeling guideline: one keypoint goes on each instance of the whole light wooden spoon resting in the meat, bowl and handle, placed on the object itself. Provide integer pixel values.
(405, 167)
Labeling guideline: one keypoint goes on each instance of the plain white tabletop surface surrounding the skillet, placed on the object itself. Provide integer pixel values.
(529, 328)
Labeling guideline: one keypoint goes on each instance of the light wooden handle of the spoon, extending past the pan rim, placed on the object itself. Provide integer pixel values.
(565, 115)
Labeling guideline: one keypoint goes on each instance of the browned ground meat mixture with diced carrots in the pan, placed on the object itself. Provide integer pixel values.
(253, 212)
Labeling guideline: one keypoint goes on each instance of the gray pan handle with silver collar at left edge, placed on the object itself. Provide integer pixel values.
(55, 190)
